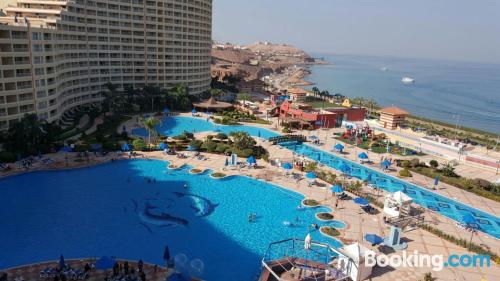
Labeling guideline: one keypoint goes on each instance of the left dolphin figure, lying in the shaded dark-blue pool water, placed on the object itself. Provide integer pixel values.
(161, 219)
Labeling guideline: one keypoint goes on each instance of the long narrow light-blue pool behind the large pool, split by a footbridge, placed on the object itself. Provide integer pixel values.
(455, 210)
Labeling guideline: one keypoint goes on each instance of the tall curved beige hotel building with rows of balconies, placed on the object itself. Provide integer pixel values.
(56, 55)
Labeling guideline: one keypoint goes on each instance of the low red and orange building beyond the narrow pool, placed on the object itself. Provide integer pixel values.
(303, 116)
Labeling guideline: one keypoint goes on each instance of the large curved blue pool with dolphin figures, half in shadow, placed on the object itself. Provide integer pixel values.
(133, 208)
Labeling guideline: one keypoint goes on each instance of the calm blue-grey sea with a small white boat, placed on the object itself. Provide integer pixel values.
(463, 93)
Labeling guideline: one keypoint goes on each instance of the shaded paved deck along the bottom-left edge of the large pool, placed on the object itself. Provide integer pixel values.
(32, 272)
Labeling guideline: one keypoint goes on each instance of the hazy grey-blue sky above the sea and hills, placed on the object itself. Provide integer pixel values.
(465, 30)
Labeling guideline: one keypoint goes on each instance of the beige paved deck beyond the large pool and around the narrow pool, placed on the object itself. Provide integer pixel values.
(358, 223)
